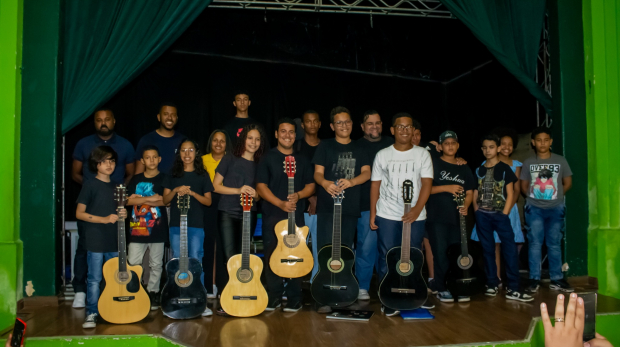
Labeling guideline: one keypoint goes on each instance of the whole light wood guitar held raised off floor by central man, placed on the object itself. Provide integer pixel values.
(291, 258)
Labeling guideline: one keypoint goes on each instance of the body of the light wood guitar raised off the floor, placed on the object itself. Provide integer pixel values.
(292, 257)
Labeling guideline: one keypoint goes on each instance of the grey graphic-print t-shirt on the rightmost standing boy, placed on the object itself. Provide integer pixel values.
(545, 175)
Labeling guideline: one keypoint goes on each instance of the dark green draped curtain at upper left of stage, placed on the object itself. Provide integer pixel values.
(107, 43)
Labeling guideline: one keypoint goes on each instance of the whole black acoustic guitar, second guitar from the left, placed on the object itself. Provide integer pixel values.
(183, 296)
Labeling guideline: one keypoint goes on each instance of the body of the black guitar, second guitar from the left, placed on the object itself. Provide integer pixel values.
(180, 300)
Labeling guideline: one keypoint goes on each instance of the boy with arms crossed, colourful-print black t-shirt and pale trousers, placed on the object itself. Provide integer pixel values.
(148, 227)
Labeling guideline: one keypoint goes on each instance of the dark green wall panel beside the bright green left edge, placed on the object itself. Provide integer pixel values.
(40, 145)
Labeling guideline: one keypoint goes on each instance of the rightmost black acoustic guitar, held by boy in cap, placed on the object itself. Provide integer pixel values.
(464, 276)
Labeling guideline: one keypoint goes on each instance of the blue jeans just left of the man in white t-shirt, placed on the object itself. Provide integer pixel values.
(365, 251)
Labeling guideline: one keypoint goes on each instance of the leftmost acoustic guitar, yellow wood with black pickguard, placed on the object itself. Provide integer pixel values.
(123, 299)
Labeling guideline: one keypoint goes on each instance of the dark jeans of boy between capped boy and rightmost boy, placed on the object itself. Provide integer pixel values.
(486, 222)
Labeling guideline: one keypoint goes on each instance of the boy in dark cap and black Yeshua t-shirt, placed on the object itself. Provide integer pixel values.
(442, 216)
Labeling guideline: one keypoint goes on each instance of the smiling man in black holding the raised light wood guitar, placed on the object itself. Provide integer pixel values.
(272, 185)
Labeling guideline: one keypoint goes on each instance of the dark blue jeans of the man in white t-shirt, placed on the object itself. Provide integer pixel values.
(389, 235)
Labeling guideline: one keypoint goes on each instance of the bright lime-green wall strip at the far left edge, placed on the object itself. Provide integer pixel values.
(10, 101)
